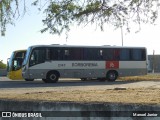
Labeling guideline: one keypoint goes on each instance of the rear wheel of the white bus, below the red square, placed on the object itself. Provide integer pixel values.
(112, 75)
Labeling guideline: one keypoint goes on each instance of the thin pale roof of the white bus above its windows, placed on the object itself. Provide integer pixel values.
(85, 46)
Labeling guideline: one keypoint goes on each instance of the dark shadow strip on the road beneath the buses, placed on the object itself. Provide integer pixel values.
(60, 83)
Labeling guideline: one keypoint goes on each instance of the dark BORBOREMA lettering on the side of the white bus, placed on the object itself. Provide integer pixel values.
(84, 64)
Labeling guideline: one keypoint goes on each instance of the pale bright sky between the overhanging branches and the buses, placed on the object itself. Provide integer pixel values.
(26, 32)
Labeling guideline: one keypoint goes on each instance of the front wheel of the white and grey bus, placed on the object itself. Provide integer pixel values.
(52, 77)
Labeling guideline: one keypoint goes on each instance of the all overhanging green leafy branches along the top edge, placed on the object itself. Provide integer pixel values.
(61, 14)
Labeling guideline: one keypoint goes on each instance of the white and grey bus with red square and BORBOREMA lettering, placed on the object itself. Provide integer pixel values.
(50, 62)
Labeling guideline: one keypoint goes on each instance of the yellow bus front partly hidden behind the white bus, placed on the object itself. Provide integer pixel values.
(14, 65)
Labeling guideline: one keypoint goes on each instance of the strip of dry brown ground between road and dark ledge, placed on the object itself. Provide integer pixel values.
(86, 94)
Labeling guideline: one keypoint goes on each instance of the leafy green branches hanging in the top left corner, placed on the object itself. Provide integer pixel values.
(9, 11)
